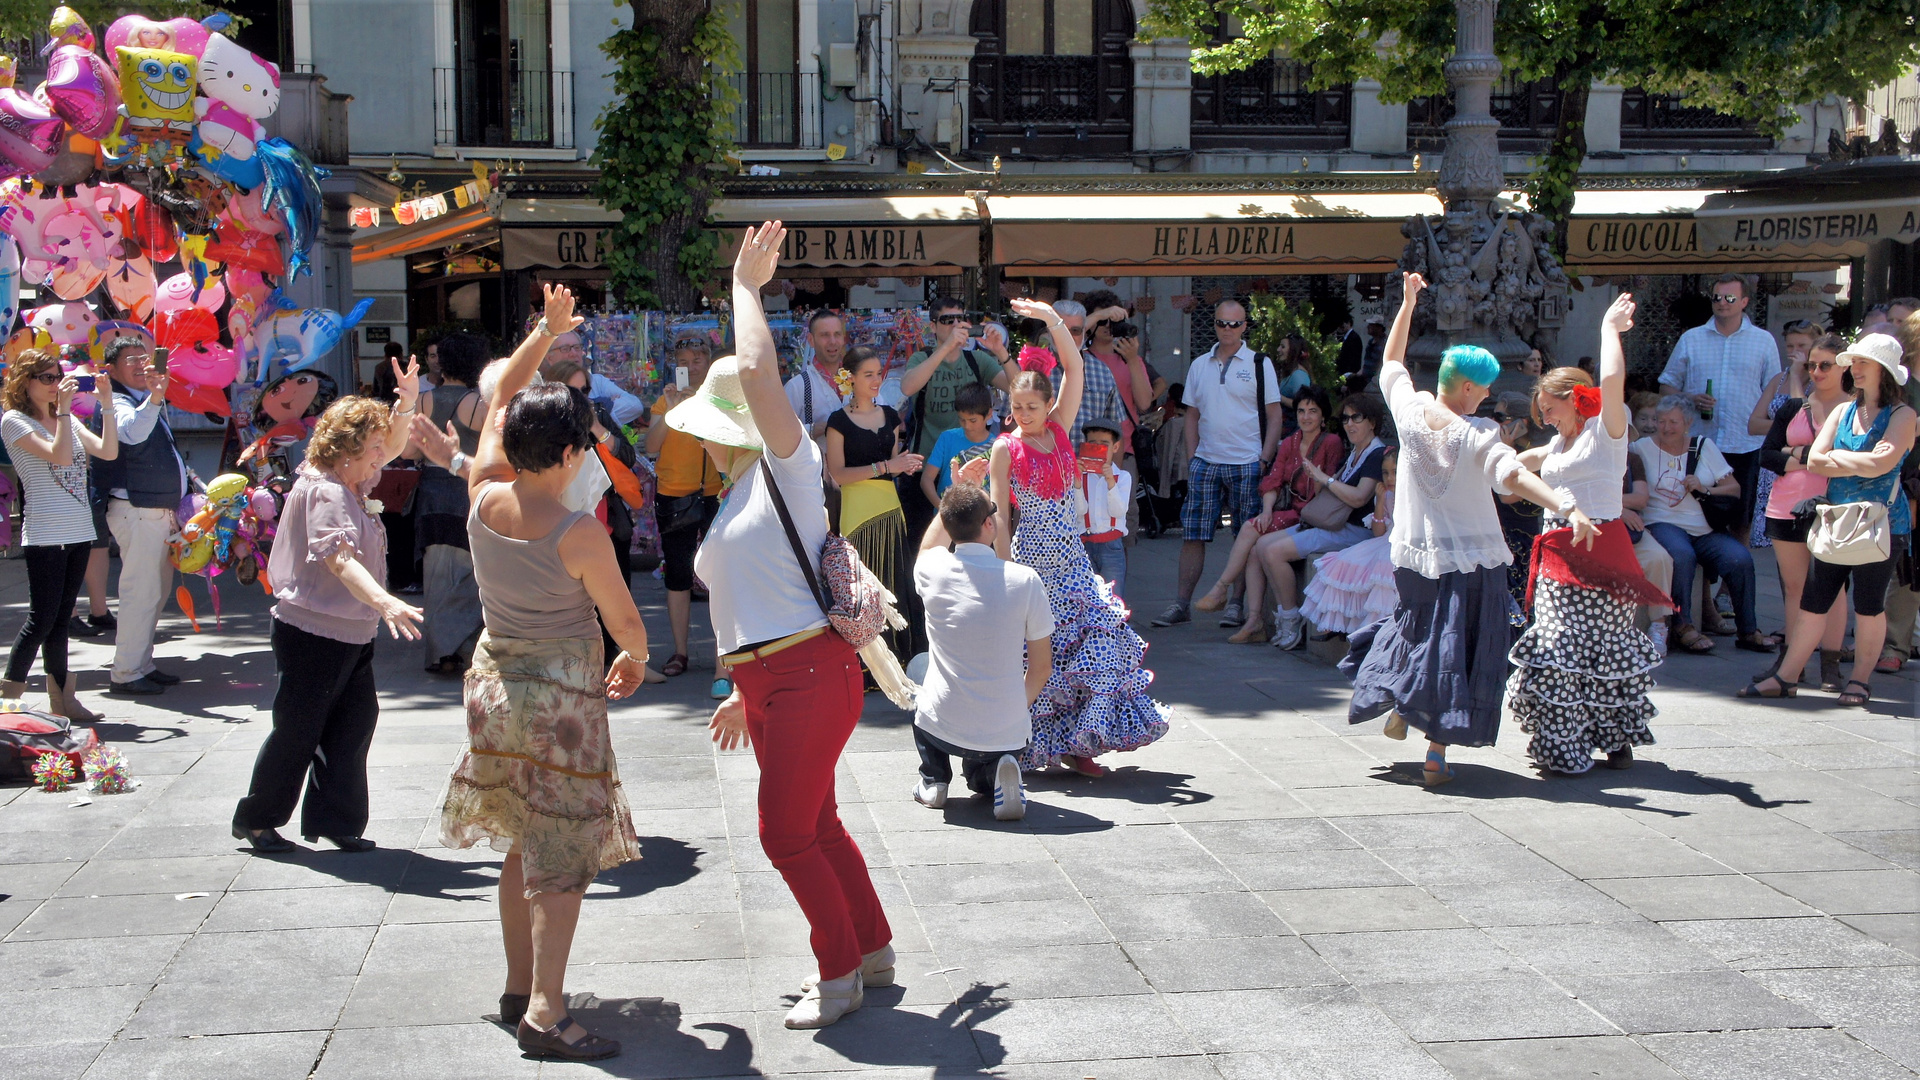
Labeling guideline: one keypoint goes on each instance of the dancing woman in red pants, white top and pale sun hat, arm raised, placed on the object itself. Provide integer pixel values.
(798, 687)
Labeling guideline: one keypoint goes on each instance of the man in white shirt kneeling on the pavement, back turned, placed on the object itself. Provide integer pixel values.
(982, 612)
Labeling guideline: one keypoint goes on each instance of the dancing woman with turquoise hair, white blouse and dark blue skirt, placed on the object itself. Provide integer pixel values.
(1441, 662)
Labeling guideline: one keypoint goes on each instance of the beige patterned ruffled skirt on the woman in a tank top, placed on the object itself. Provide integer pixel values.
(539, 768)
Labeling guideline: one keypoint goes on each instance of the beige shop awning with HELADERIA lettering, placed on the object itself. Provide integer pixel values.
(1201, 233)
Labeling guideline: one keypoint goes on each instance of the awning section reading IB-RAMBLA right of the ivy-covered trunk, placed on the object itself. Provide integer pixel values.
(905, 235)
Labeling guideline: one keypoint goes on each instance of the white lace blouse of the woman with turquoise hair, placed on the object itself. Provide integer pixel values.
(1445, 518)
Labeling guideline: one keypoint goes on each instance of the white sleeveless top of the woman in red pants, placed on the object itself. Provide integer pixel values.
(757, 587)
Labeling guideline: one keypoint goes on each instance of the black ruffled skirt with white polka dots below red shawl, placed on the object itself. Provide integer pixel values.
(1581, 677)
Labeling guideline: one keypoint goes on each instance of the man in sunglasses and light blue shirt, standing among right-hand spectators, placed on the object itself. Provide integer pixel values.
(1737, 358)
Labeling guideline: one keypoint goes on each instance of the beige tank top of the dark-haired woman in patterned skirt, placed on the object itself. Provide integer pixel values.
(525, 589)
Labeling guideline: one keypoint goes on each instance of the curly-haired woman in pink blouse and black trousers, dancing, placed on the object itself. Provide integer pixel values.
(329, 577)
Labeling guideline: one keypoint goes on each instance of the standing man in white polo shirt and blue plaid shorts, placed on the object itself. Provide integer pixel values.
(1234, 430)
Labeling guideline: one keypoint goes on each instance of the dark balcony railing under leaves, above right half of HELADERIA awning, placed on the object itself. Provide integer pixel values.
(1270, 105)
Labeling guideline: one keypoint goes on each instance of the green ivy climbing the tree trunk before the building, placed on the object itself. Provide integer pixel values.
(660, 139)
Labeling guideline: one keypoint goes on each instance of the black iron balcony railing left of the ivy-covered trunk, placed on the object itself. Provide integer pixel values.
(504, 107)
